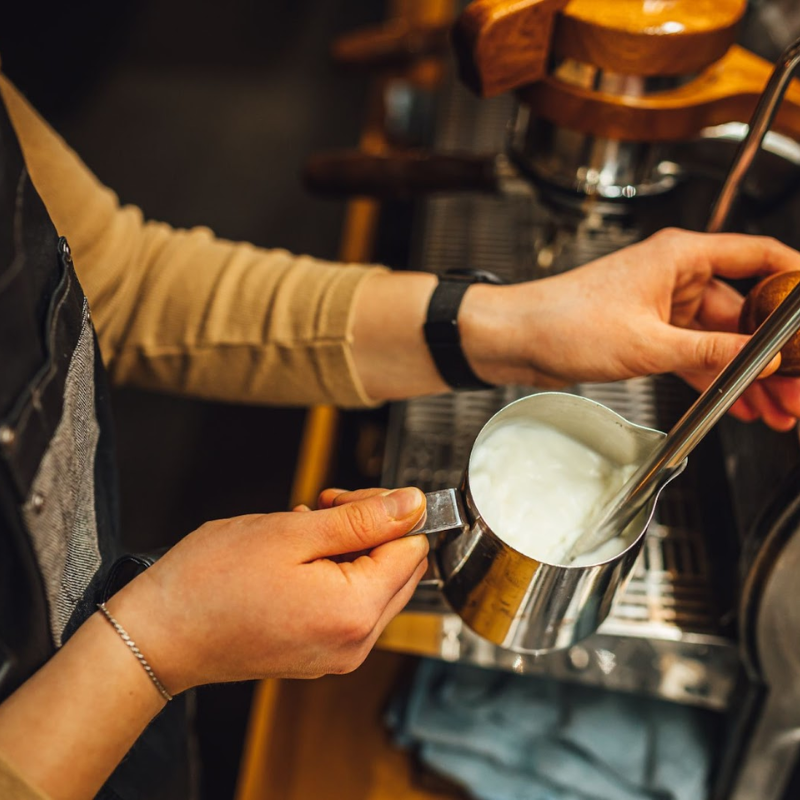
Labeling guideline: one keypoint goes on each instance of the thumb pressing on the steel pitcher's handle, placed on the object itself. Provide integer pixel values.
(362, 524)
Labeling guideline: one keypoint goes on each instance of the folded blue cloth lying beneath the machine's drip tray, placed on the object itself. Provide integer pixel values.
(512, 737)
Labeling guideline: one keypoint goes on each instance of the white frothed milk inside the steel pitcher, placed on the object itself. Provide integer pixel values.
(537, 489)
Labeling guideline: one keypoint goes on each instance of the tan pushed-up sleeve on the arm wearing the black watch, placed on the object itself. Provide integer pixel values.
(183, 311)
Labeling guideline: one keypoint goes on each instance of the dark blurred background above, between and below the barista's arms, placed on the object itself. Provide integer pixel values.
(201, 113)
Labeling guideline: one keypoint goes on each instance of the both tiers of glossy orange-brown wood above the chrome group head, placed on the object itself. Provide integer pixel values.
(505, 45)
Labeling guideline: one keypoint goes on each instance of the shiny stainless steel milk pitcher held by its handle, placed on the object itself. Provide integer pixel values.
(515, 601)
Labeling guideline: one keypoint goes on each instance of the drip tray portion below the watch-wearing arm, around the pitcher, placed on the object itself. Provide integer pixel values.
(664, 636)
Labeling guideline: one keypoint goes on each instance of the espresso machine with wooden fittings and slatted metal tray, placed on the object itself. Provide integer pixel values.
(565, 130)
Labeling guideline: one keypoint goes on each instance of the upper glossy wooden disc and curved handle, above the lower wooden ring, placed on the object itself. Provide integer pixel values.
(503, 44)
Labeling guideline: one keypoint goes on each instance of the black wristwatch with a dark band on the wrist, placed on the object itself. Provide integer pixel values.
(441, 327)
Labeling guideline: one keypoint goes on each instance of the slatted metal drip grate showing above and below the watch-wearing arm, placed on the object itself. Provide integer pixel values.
(663, 635)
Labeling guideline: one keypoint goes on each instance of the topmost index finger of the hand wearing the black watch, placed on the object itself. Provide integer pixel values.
(735, 255)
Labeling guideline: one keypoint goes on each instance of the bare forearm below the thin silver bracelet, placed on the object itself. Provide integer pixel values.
(70, 724)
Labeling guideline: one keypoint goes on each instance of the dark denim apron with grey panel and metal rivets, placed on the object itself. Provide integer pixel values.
(59, 532)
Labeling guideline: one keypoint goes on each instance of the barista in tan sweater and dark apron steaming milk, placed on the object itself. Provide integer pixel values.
(184, 312)
